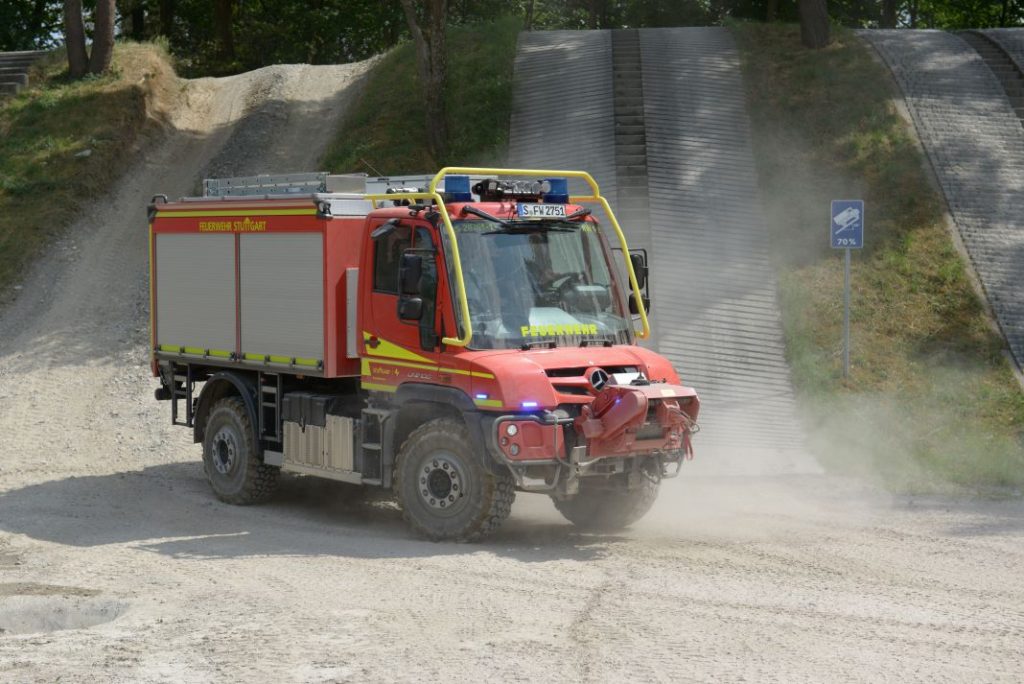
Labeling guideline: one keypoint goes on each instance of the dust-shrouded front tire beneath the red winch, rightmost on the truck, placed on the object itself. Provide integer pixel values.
(609, 510)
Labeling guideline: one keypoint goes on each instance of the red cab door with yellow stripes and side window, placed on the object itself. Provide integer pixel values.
(400, 305)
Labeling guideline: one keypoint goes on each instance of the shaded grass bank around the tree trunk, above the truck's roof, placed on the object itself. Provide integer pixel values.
(385, 132)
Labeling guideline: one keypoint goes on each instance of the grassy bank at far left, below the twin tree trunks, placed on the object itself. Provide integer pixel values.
(65, 143)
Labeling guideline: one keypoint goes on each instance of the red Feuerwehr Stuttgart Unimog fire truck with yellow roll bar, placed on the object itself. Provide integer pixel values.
(454, 344)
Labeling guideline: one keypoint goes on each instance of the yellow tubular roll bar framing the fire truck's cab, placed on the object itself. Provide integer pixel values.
(433, 194)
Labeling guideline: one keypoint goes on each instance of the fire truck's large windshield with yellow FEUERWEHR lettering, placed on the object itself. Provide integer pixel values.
(539, 284)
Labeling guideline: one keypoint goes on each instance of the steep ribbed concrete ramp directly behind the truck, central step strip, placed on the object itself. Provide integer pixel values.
(659, 117)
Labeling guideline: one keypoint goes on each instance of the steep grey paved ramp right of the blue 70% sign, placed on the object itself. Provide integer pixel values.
(970, 125)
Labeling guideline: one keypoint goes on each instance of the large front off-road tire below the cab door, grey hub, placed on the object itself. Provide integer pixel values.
(484, 501)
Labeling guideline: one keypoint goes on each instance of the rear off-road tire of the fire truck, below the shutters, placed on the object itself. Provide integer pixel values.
(231, 459)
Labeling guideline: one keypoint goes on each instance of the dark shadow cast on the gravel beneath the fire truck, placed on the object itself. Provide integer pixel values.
(168, 509)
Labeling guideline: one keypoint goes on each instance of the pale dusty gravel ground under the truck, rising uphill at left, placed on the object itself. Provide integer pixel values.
(118, 565)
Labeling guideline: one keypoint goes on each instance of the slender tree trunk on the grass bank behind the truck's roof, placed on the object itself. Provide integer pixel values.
(426, 23)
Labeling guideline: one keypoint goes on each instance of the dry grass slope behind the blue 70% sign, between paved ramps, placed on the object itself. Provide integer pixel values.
(931, 404)
